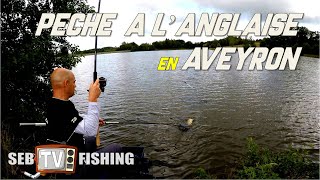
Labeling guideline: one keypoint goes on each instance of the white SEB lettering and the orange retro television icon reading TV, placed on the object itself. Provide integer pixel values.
(53, 158)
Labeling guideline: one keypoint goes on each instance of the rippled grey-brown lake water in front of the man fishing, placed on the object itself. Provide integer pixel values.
(277, 108)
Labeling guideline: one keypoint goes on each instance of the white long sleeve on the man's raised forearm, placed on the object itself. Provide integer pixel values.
(90, 123)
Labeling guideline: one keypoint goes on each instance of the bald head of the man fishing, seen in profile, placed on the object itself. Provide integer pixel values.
(63, 83)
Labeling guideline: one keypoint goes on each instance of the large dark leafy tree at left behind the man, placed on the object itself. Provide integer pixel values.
(27, 61)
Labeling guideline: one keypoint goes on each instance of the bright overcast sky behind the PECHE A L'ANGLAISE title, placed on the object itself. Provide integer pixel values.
(128, 9)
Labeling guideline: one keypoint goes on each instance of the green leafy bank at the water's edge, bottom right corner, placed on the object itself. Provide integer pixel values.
(261, 163)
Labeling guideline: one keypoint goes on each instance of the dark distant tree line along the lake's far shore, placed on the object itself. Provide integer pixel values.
(305, 38)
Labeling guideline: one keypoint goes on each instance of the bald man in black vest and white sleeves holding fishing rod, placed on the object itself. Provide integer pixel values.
(65, 125)
